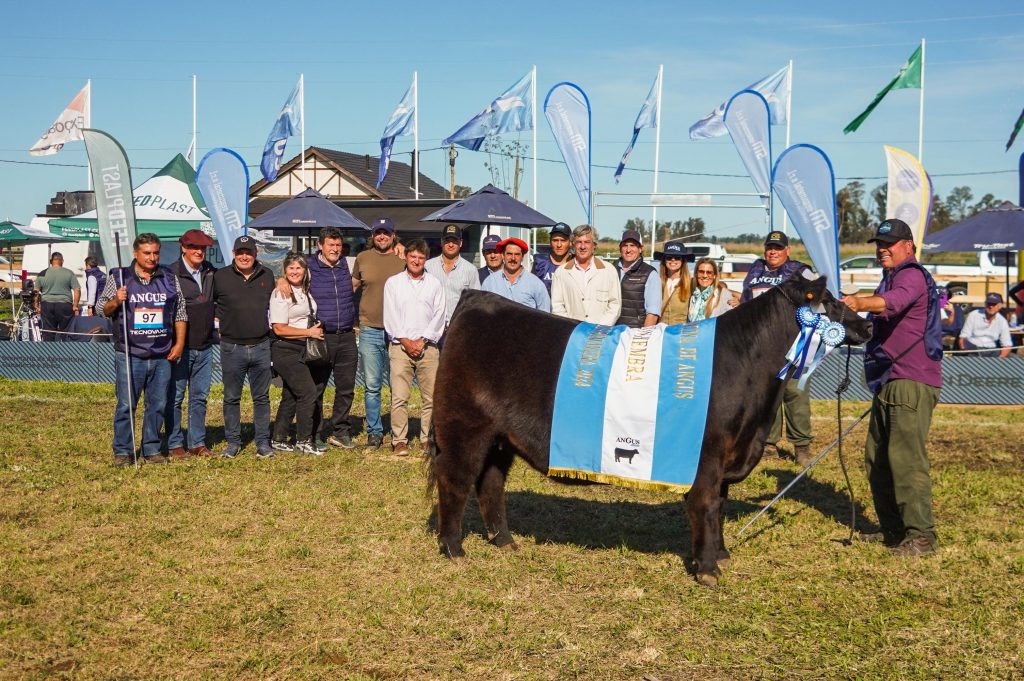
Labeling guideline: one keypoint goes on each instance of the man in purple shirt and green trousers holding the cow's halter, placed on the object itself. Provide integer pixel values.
(907, 384)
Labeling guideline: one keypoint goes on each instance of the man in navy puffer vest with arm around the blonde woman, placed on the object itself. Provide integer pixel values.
(331, 287)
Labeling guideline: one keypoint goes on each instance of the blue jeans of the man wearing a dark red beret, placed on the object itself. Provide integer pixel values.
(193, 371)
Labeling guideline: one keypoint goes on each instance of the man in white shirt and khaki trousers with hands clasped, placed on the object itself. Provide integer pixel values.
(414, 319)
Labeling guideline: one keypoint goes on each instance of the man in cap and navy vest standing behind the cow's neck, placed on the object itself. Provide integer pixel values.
(766, 274)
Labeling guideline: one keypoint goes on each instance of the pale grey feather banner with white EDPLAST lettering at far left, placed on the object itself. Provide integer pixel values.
(115, 205)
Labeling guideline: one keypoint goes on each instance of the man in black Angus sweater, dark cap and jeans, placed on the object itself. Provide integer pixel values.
(242, 295)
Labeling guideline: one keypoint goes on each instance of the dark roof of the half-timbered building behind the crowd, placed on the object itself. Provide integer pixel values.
(362, 171)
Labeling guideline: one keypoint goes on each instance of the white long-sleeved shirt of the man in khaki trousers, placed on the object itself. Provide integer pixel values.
(414, 308)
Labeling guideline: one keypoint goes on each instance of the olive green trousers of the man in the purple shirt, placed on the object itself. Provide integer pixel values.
(898, 462)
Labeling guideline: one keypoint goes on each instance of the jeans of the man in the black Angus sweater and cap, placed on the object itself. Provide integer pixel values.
(238, 363)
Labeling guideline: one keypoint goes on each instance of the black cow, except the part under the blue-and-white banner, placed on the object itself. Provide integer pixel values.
(495, 394)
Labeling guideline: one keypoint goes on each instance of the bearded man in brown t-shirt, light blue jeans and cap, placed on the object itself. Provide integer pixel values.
(373, 268)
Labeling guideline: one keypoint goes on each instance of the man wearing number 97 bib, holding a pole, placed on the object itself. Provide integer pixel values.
(145, 303)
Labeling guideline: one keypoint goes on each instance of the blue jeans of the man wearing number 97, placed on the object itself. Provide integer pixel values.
(152, 377)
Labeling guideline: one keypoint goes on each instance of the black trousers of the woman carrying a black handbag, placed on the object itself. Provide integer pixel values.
(302, 393)
